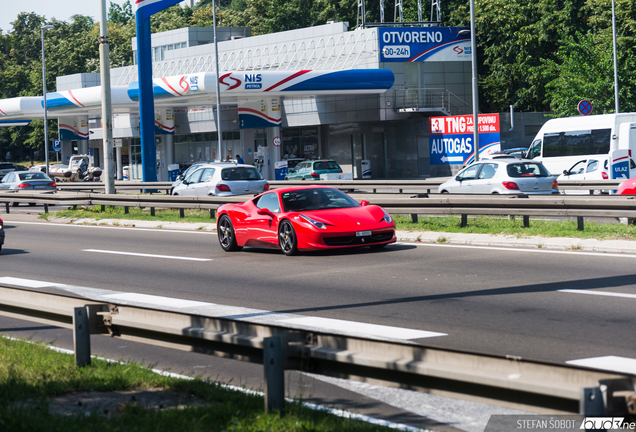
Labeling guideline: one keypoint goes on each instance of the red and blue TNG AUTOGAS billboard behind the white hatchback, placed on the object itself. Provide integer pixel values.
(451, 138)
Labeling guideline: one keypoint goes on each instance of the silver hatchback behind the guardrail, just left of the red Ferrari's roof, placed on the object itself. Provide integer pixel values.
(222, 179)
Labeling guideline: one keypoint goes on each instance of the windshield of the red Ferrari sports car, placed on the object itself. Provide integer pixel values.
(316, 199)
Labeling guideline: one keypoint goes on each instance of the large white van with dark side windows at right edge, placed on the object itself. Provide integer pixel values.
(563, 142)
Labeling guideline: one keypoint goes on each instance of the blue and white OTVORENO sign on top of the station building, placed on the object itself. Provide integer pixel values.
(413, 44)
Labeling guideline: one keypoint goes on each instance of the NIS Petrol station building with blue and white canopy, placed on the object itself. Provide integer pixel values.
(323, 91)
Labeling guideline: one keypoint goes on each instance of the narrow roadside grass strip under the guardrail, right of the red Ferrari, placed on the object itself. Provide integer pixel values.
(503, 225)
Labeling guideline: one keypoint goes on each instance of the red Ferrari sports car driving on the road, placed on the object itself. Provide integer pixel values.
(303, 218)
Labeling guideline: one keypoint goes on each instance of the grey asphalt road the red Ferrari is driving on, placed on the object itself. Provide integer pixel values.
(483, 299)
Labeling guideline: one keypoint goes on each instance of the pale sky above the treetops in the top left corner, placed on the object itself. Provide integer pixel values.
(60, 9)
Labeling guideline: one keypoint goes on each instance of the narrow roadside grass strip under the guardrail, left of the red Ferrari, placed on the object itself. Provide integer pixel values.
(134, 213)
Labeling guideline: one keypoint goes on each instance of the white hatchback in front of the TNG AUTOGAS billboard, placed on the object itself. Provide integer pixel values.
(502, 176)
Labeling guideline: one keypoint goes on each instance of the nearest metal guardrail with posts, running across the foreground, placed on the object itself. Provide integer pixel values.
(533, 385)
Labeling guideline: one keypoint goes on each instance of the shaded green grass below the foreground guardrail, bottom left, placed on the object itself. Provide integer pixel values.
(31, 374)
